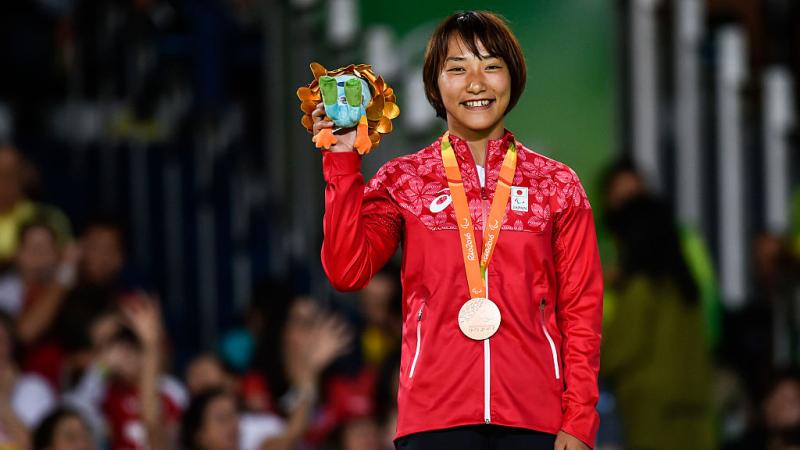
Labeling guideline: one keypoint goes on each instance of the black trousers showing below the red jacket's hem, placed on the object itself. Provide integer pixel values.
(478, 437)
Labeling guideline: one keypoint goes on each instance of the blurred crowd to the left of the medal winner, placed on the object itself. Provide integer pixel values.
(85, 359)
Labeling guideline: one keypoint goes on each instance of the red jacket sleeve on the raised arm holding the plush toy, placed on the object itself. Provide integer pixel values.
(361, 227)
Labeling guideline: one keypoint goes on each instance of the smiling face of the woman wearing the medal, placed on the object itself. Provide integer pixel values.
(464, 79)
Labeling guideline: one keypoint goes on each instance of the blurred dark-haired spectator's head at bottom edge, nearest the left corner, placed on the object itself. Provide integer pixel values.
(63, 429)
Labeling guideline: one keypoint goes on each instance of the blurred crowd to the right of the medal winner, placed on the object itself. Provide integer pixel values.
(678, 369)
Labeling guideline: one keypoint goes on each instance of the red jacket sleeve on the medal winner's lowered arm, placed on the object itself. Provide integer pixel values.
(579, 313)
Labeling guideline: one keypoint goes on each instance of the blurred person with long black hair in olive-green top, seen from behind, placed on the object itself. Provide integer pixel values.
(654, 352)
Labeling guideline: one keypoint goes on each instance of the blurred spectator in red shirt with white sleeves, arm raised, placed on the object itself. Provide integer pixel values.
(125, 387)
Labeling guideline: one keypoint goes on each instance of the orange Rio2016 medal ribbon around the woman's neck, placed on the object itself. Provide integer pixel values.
(476, 272)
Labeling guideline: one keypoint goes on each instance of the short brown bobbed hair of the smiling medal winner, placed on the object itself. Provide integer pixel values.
(473, 26)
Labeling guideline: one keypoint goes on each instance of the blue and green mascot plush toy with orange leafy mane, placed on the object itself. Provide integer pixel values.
(353, 97)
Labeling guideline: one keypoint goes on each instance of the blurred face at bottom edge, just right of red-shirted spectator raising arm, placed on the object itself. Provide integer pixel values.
(220, 429)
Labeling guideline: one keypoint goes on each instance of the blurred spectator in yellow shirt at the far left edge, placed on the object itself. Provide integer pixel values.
(16, 208)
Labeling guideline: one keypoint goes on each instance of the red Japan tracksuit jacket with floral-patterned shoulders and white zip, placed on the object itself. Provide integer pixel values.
(539, 371)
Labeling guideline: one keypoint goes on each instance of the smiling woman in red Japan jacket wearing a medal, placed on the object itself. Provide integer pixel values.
(518, 370)
